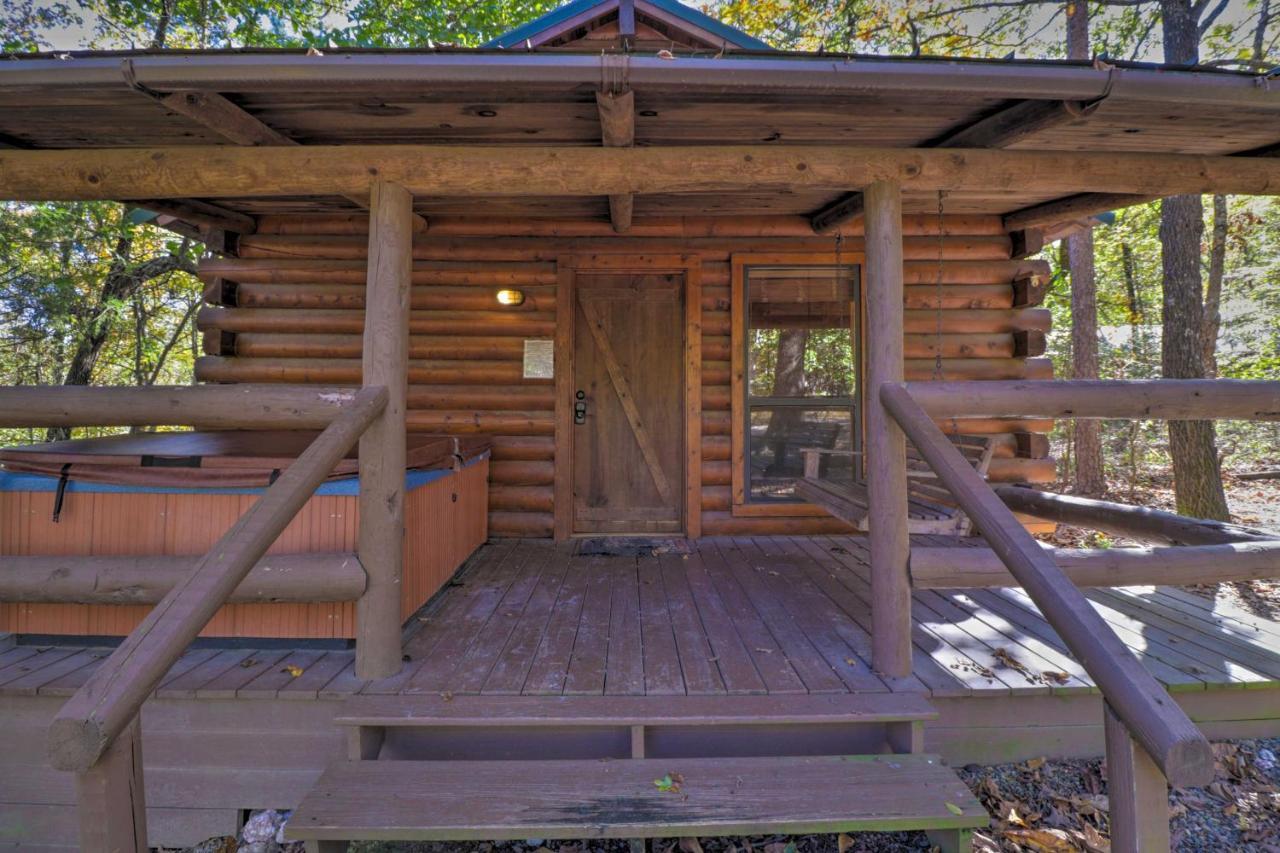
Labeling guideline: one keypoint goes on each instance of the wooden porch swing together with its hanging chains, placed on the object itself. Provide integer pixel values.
(931, 508)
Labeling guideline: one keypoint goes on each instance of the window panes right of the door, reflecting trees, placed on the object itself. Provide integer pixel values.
(801, 343)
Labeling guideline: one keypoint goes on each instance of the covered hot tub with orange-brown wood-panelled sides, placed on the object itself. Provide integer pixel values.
(176, 494)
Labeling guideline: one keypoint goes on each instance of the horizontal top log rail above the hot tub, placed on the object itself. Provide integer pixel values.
(204, 408)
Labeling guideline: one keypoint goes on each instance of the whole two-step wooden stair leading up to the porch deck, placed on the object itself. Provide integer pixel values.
(478, 768)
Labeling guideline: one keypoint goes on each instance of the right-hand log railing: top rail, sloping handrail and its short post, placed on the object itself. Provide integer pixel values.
(1150, 741)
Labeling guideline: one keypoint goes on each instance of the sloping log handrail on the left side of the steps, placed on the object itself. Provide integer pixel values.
(112, 697)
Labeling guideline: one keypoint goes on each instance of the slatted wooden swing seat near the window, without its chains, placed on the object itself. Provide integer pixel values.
(931, 509)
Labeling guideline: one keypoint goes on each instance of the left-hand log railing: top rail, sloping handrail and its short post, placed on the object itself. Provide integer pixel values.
(98, 733)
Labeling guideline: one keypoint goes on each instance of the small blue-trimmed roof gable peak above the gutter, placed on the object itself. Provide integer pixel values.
(598, 25)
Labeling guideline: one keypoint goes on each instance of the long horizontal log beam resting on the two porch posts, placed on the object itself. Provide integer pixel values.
(551, 171)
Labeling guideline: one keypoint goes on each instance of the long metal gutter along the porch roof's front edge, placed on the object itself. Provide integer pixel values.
(785, 75)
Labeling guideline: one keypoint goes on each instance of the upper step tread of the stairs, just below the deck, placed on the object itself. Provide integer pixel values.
(552, 711)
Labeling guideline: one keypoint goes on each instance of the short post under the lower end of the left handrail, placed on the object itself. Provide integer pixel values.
(112, 808)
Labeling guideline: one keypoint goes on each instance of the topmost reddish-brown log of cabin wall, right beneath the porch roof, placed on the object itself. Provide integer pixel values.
(764, 226)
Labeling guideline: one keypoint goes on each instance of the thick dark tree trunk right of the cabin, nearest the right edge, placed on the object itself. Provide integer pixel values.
(1197, 471)
